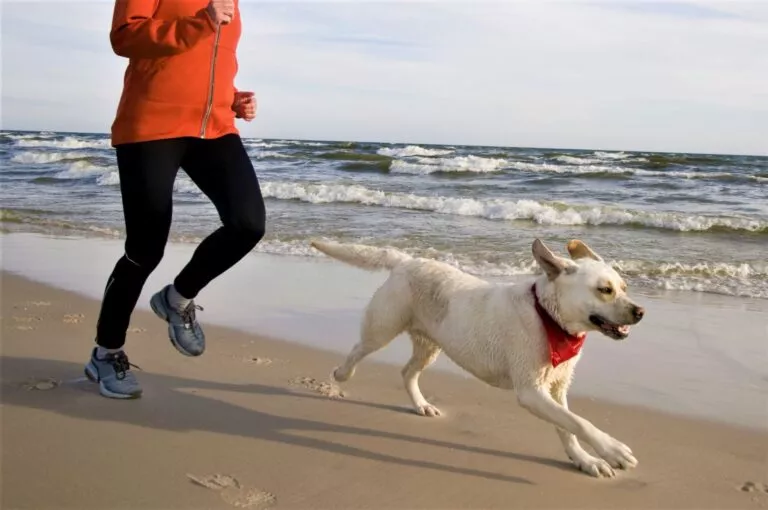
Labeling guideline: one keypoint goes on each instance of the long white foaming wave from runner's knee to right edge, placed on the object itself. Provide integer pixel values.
(500, 209)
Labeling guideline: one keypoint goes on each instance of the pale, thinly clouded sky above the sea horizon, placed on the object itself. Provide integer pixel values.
(615, 74)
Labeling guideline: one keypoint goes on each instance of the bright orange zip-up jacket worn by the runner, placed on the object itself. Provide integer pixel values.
(181, 70)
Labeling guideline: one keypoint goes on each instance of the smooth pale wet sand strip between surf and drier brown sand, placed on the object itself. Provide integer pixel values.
(683, 367)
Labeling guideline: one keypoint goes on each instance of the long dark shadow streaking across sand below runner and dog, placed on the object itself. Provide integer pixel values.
(181, 411)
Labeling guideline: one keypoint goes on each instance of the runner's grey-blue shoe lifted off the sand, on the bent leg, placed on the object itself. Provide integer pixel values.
(183, 329)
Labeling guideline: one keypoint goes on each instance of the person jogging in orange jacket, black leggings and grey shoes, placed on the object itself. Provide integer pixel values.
(177, 111)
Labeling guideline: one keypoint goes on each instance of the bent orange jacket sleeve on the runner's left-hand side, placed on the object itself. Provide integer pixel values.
(135, 34)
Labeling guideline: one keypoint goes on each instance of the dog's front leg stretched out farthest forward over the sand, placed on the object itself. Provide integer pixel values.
(541, 404)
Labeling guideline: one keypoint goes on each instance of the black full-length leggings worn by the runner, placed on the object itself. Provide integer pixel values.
(223, 171)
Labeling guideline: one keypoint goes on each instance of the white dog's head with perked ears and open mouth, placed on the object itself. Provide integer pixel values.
(585, 293)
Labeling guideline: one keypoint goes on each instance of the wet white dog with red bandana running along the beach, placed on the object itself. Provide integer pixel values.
(521, 337)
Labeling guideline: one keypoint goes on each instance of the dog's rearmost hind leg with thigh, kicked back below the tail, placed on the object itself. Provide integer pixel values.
(385, 317)
